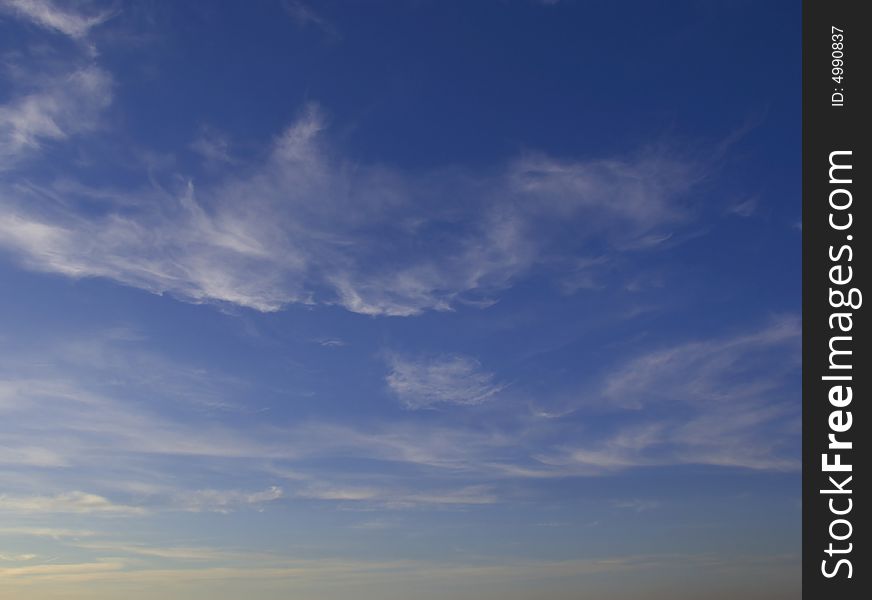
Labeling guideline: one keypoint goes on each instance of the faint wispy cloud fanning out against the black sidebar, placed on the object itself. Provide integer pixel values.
(720, 402)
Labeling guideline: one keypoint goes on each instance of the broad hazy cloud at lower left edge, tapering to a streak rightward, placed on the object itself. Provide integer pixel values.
(95, 401)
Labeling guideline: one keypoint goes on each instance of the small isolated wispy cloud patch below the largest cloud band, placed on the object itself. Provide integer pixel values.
(453, 379)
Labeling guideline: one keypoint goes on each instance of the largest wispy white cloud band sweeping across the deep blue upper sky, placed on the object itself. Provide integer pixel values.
(310, 227)
